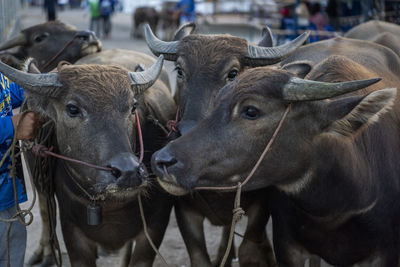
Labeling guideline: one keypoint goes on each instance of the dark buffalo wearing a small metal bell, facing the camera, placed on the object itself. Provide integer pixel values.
(92, 109)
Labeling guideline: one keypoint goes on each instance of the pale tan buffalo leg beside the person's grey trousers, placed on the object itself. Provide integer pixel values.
(43, 254)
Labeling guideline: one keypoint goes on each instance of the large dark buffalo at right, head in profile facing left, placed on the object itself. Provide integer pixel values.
(333, 173)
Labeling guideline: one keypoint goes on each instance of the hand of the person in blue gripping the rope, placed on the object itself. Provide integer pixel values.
(28, 125)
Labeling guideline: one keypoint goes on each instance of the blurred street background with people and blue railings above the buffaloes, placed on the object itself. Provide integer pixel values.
(286, 18)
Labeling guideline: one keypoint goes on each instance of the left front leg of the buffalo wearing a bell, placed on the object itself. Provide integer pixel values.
(82, 252)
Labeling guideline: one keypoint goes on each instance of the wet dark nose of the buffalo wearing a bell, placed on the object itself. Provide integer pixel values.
(127, 170)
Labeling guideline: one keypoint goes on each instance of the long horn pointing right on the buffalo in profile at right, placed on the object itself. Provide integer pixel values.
(297, 89)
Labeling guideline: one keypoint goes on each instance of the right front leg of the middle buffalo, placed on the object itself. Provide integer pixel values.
(256, 249)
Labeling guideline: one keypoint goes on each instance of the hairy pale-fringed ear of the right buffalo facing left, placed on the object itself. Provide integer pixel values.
(349, 115)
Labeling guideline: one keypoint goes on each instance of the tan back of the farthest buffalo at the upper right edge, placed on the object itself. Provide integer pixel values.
(380, 32)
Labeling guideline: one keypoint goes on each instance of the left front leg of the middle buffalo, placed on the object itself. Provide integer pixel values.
(190, 224)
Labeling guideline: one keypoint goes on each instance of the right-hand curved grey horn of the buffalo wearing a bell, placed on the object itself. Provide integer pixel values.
(144, 79)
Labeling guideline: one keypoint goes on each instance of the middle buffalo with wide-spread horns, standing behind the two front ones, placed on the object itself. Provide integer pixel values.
(204, 64)
